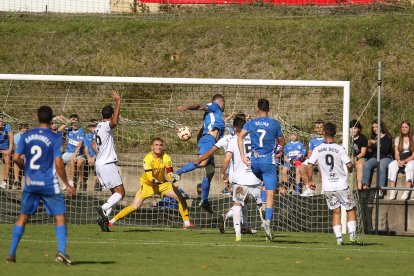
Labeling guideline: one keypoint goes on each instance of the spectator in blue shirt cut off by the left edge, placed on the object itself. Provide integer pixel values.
(6, 146)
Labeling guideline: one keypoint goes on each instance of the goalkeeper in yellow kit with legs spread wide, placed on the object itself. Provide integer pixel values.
(156, 179)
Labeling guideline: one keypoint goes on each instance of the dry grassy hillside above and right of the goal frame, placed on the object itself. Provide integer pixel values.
(234, 45)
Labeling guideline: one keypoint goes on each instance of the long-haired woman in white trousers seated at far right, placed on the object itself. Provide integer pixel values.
(403, 162)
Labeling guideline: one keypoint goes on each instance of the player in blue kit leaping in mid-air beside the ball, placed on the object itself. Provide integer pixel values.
(213, 129)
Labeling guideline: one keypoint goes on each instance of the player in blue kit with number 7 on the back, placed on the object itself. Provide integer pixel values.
(264, 133)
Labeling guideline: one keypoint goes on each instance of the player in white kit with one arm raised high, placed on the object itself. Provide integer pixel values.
(106, 159)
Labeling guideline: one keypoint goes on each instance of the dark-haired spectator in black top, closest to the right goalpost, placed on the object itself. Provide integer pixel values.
(359, 147)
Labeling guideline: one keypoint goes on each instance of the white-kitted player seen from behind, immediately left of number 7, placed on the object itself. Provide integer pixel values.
(245, 182)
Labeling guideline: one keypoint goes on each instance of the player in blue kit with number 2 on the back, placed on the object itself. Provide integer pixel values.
(43, 159)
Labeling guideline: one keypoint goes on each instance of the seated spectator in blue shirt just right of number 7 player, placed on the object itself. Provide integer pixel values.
(294, 154)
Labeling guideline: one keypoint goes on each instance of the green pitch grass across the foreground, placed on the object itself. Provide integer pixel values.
(144, 251)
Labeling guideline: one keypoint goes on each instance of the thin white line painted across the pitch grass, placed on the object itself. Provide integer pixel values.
(162, 242)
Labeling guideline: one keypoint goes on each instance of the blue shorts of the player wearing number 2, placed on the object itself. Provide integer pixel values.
(53, 203)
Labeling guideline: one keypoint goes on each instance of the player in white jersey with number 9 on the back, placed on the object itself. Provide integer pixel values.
(332, 159)
